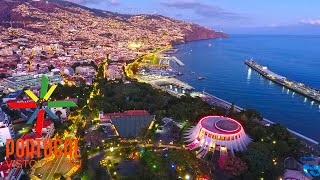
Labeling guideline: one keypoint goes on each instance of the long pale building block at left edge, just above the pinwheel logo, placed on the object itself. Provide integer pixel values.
(16, 83)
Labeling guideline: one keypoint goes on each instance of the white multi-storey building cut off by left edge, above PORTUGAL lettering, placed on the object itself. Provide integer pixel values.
(6, 128)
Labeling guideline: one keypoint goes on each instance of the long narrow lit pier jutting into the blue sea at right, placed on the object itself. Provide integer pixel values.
(298, 87)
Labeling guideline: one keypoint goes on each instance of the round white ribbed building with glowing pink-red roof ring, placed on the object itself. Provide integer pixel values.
(216, 133)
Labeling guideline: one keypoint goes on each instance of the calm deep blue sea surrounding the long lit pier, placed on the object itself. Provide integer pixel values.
(227, 77)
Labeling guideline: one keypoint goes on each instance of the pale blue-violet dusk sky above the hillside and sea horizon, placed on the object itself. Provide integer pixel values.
(272, 16)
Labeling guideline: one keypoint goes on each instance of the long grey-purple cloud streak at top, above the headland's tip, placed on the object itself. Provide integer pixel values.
(202, 9)
